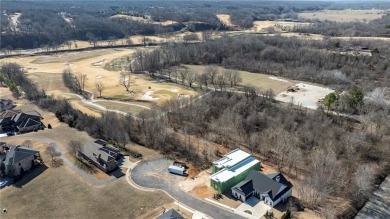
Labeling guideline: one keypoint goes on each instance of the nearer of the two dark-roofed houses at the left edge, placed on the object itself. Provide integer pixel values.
(17, 159)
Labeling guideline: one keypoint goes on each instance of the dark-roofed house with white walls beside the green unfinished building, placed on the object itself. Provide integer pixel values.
(270, 188)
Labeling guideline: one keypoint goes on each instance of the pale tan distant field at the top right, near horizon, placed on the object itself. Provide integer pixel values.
(343, 15)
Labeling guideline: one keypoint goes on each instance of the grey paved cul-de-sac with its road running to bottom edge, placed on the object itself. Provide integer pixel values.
(154, 174)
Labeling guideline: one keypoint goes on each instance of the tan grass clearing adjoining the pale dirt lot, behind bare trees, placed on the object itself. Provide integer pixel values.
(257, 80)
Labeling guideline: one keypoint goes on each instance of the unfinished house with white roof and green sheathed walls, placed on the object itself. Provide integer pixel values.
(232, 169)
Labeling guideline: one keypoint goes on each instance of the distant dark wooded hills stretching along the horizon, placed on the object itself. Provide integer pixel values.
(52, 24)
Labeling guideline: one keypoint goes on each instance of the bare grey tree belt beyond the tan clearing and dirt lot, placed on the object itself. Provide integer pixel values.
(316, 61)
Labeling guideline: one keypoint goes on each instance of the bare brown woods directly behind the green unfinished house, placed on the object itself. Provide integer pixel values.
(332, 156)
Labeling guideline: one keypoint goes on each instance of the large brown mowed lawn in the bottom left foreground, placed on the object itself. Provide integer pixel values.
(61, 193)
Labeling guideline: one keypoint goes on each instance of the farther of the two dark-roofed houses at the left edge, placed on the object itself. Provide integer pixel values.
(18, 121)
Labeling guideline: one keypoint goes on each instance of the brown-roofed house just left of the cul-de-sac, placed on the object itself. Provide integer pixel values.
(102, 155)
